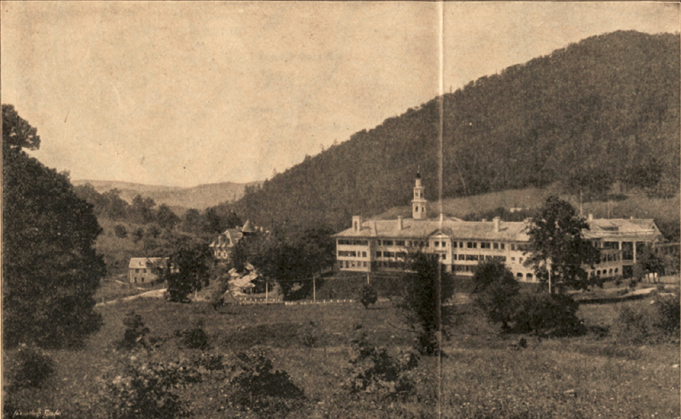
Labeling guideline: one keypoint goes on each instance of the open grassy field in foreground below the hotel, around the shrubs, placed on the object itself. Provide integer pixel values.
(591, 376)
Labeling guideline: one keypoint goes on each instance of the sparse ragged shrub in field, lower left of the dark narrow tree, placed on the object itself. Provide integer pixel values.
(374, 371)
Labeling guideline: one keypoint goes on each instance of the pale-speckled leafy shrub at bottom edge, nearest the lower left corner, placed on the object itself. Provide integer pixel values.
(145, 390)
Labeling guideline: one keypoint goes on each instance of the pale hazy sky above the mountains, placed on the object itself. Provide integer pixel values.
(188, 93)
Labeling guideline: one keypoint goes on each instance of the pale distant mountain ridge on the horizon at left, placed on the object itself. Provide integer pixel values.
(199, 197)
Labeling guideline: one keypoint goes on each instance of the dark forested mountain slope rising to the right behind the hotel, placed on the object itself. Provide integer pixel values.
(596, 113)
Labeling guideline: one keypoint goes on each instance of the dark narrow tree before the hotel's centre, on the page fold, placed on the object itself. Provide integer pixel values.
(419, 300)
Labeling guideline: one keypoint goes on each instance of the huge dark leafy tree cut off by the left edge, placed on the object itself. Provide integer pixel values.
(50, 268)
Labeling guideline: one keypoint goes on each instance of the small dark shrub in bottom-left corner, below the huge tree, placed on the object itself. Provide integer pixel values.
(32, 368)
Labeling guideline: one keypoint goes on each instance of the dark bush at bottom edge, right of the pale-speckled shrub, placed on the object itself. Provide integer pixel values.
(257, 386)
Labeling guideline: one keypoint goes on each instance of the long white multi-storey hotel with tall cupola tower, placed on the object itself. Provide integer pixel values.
(375, 245)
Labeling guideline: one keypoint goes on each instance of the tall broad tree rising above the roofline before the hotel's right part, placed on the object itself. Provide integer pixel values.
(556, 240)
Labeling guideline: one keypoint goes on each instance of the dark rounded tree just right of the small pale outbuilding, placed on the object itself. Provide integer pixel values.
(187, 270)
